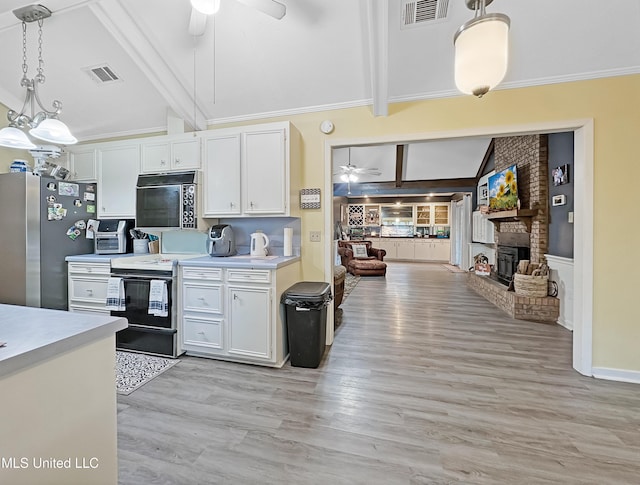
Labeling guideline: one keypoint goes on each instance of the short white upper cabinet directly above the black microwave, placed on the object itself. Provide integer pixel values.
(173, 154)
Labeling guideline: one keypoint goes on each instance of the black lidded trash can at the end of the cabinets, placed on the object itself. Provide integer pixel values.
(306, 316)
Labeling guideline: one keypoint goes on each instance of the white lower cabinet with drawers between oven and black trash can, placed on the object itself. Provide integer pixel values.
(234, 313)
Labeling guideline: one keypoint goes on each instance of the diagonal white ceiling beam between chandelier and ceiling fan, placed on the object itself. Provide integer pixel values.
(120, 23)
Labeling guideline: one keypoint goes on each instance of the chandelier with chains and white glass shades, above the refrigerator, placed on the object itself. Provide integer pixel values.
(44, 124)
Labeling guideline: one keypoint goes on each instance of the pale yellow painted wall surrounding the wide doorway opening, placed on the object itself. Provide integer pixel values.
(613, 104)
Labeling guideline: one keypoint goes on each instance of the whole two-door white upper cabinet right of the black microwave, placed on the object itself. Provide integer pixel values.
(250, 171)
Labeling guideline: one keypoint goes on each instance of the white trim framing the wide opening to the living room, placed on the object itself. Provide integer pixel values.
(583, 222)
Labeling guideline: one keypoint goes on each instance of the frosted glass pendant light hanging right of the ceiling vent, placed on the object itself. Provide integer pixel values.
(481, 50)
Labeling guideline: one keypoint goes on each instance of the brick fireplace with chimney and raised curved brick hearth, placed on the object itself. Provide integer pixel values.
(521, 233)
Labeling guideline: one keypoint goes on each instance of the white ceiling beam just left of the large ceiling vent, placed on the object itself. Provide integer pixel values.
(378, 30)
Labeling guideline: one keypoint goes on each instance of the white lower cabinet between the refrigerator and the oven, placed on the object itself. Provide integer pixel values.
(87, 286)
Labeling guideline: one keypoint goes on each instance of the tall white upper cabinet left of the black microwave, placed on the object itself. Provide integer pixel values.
(118, 170)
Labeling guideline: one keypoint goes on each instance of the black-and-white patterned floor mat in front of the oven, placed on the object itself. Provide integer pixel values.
(134, 370)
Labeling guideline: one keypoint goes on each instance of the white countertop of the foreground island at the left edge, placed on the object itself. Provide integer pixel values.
(35, 334)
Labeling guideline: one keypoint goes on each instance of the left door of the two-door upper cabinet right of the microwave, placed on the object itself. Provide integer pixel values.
(221, 175)
